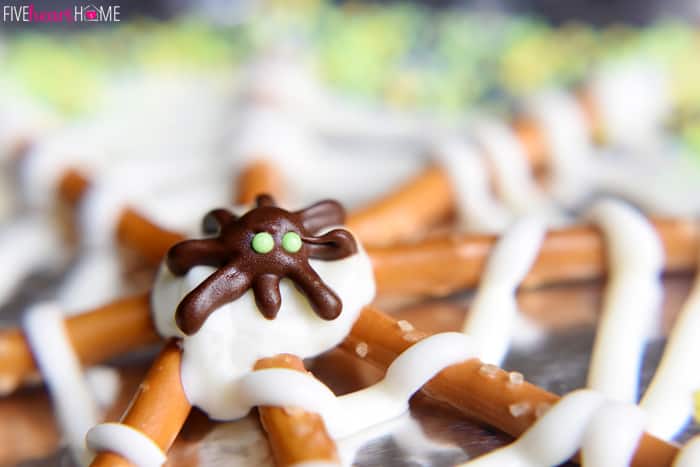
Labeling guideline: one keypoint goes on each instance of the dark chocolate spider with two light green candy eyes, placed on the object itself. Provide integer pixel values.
(256, 251)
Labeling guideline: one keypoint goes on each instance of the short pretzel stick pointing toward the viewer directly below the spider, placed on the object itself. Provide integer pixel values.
(295, 435)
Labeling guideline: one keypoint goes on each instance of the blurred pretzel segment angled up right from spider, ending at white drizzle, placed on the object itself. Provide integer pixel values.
(424, 200)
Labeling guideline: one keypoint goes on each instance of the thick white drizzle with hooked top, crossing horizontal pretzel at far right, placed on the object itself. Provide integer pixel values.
(632, 298)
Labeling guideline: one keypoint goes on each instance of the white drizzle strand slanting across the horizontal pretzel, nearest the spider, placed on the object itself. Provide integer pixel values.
(492, 316)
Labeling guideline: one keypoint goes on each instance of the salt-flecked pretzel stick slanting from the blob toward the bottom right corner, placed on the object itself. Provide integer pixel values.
(481, 392)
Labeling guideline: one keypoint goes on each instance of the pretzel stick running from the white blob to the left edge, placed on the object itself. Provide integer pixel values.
(106, 332)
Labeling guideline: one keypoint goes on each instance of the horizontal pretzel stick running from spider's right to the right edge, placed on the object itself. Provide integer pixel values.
(439, 266)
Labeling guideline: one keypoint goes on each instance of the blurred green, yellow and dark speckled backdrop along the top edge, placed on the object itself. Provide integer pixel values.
(446, 56)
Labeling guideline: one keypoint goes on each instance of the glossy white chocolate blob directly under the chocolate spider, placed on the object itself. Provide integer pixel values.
(236, 335)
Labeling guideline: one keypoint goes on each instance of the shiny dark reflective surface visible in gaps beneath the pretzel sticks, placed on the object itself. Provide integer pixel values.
(430, 436)
